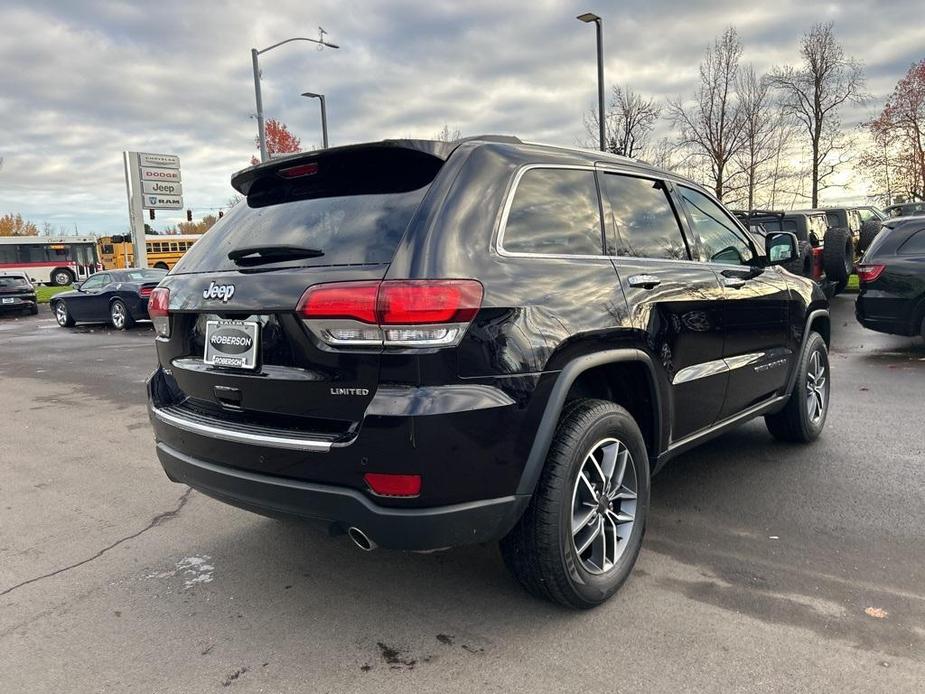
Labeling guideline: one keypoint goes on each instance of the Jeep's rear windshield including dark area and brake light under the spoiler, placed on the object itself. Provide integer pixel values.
(351, 206)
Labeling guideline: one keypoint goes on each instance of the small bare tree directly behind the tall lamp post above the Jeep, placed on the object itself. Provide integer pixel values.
(629, 122)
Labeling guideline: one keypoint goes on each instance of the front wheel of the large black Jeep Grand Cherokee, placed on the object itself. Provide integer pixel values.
(795, 423)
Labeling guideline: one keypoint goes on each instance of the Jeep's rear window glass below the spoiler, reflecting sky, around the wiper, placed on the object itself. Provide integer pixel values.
(349, 229)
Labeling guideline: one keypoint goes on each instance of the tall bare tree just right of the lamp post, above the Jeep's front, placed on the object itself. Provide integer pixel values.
(711, 124)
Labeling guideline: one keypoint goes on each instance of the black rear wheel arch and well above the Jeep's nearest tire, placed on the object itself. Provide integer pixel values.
(600, 374)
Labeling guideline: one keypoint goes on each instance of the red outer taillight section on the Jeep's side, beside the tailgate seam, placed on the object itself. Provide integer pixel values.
(416, 302)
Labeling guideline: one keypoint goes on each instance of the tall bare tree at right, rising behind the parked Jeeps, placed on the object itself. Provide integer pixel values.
(813, 94)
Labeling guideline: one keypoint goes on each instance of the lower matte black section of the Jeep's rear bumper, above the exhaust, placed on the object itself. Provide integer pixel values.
(341, 507)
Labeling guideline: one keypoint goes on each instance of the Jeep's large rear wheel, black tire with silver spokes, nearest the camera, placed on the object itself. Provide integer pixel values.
(541, 551)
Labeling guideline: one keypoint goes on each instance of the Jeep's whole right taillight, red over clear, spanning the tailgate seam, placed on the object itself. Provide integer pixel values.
(394, 313)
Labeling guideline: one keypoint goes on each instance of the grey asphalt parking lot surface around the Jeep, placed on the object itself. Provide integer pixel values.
(765, 567)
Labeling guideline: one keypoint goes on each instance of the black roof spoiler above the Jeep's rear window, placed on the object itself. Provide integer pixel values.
(277, 168)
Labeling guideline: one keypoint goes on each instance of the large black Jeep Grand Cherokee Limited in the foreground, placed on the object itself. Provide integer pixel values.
(429, 344)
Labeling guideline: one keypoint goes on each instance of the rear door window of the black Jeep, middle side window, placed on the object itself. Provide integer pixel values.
(645, 222)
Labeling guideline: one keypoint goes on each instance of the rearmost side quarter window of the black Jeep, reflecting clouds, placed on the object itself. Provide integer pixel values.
(554, 211)
